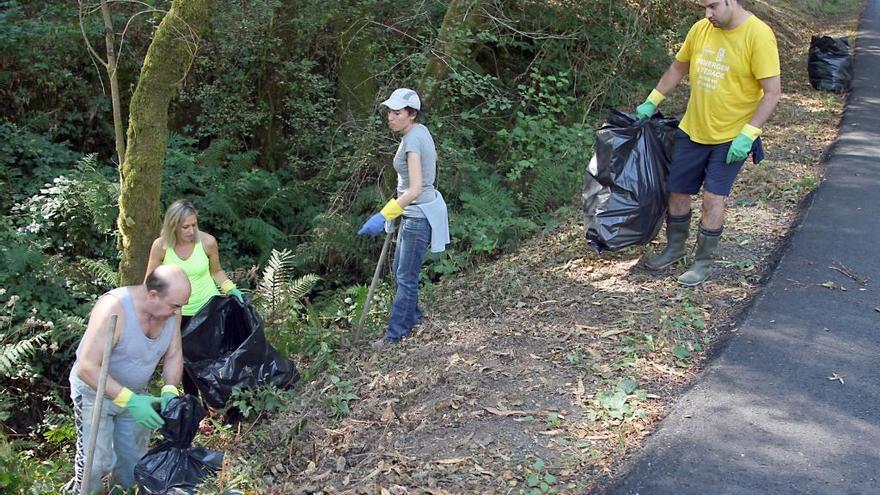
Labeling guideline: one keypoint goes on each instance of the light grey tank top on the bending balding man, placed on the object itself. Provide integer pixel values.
(135, 357)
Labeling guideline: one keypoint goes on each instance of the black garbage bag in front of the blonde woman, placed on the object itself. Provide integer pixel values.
(225, 347)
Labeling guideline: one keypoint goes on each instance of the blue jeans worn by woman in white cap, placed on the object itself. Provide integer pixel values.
(412, 243)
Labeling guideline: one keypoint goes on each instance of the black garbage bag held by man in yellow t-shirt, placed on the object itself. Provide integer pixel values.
(625, 183)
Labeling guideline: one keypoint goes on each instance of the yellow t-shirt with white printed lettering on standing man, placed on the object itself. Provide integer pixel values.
(725, 69)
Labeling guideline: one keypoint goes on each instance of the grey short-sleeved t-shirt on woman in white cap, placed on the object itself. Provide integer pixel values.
(417, 140)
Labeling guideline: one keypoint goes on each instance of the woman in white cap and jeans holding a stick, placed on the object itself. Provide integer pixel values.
(421, 206)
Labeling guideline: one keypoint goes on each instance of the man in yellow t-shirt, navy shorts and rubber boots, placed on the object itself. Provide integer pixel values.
(733, 64)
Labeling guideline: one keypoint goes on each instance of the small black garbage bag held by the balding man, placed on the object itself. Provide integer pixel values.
(175, 466)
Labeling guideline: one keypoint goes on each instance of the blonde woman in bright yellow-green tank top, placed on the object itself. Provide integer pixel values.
(184, 245)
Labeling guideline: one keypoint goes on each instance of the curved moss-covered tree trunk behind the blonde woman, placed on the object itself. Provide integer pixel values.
(168, 58)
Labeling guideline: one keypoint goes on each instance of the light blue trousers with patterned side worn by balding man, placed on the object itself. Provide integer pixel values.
(121, 441)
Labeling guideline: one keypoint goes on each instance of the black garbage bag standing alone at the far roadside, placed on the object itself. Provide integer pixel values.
(830, 64)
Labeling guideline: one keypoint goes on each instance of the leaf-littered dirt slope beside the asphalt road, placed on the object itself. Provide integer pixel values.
(541, 371)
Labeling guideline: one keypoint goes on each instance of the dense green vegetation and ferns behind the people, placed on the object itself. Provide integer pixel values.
(278, 139)
